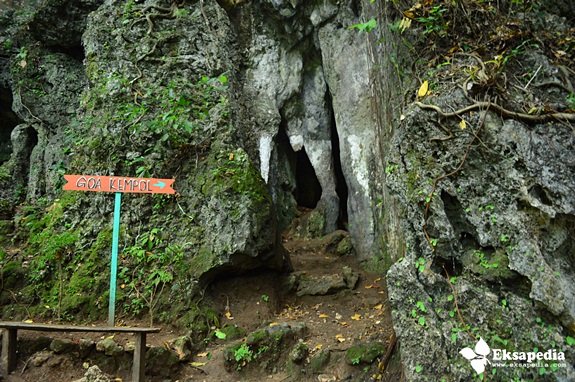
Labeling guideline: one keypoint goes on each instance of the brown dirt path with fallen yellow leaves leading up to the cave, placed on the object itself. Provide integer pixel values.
(335, 322)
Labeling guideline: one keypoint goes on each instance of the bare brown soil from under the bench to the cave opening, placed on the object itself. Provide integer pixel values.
(343, 317)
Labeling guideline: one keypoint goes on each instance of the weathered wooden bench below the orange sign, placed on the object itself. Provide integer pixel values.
(9, 339)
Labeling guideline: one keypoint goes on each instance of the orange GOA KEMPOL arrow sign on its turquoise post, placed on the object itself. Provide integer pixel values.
(118, 185)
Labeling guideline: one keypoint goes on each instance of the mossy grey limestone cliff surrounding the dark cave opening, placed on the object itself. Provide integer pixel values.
(258, 108)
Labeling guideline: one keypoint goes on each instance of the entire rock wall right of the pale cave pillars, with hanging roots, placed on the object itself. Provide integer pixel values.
(482, 215)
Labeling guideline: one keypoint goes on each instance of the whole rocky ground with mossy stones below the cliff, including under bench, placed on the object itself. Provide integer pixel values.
(329, 320)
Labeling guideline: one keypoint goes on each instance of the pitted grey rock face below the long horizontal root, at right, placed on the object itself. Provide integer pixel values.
(502, 262)
